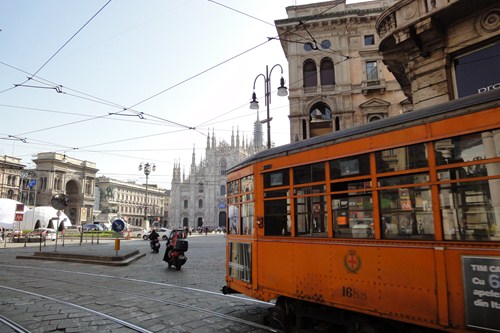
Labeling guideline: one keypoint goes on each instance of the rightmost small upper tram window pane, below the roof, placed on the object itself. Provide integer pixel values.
(464, 148)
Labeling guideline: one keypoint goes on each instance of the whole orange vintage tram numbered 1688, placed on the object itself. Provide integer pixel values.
(393, 226)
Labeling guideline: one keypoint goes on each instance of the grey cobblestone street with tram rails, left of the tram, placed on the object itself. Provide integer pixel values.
(144, 296)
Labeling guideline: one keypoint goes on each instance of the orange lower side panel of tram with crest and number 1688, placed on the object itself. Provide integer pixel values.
(394, 282)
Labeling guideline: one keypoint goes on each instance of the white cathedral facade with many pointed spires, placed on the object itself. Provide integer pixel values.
(199, 199)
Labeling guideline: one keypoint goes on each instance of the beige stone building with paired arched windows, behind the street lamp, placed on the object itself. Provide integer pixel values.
(337, 78)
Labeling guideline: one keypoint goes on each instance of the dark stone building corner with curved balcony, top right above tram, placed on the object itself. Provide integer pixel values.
(442, 50)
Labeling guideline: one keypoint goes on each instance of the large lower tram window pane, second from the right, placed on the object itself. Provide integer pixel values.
(406, 213)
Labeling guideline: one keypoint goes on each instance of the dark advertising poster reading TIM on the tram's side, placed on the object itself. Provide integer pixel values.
(482, 292)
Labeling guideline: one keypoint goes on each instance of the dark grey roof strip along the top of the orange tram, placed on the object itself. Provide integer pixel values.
(429, 114)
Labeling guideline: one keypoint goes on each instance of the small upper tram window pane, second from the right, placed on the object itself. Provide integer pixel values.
(402, 158)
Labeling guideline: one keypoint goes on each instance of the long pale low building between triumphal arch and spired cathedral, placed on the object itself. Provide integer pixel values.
(131, 202)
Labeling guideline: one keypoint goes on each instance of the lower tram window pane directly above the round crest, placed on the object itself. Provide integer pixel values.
(352, 215)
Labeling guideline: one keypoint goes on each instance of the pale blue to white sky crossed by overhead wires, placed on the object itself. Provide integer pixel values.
(122, 82)
